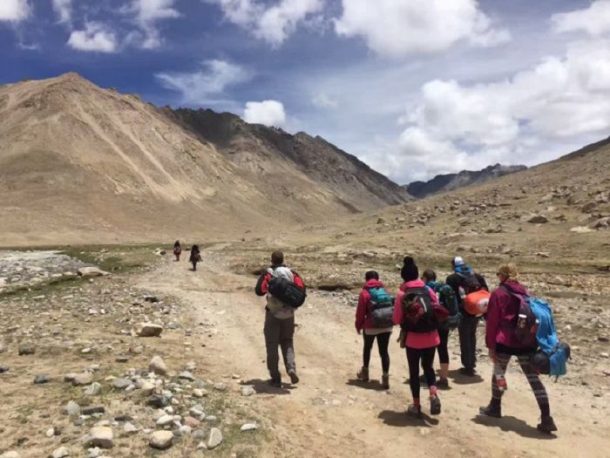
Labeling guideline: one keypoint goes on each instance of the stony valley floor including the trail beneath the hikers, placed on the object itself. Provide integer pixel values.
(82, 375)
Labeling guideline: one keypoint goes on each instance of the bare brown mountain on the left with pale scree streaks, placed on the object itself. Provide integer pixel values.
(79, 163)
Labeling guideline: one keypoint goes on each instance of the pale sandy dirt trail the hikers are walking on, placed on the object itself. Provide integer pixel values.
(328, 415)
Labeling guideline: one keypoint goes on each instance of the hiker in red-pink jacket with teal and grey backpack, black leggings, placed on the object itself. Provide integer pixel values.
(374, 315)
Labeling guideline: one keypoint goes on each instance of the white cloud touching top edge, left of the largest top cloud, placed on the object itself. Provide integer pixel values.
(273, 24)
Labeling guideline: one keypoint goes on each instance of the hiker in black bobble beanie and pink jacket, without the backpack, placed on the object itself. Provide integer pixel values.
(420, 346)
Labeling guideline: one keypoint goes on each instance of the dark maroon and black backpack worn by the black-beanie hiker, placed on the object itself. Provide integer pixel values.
(420, 313)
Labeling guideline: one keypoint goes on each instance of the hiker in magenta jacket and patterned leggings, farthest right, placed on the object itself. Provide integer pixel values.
(504, 338)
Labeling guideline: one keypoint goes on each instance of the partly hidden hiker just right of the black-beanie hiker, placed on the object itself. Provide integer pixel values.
(448, 299)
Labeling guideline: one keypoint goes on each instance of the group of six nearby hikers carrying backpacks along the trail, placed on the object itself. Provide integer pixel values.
(426, 311)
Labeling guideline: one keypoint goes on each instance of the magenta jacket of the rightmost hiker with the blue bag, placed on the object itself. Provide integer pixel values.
(501, 313)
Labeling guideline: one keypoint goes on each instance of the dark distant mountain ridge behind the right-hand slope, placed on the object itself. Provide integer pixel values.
(449, 182)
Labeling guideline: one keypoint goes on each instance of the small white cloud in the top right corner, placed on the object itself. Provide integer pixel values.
(594, 20)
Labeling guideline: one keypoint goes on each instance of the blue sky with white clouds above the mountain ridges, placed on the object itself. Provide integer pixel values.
(412, 87)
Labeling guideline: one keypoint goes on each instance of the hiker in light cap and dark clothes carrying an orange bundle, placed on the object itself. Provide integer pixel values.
(472, 293)
